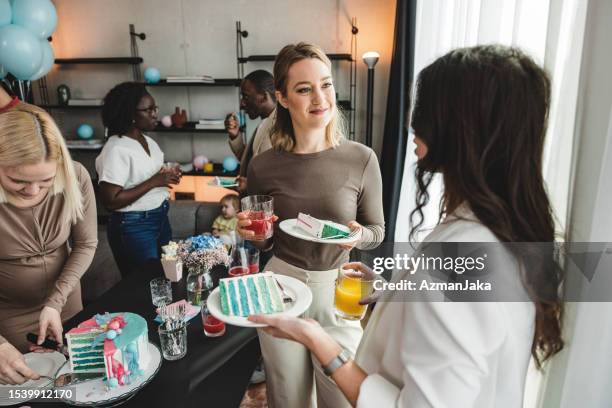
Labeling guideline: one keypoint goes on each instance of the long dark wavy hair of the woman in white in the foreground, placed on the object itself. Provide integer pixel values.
(482, 114)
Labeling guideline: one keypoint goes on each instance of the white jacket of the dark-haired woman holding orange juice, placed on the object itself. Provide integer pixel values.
(447, 354)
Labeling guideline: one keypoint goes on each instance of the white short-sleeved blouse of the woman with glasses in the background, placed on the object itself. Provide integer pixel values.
(124, 162)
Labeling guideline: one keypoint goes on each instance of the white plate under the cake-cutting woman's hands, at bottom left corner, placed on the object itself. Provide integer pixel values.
(44, 364)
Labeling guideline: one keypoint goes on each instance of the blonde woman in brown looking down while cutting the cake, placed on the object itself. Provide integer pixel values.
(49, 235)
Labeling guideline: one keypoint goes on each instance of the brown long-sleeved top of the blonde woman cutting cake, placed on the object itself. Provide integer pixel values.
(39, 265)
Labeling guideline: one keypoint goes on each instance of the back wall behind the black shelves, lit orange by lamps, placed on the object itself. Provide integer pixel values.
(198, 37)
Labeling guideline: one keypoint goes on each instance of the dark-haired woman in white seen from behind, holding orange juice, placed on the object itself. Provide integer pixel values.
(479, 120)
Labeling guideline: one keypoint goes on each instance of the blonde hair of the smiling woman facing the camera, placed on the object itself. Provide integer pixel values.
(283, 136)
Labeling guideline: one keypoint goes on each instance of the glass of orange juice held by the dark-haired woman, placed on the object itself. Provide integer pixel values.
(349, 291)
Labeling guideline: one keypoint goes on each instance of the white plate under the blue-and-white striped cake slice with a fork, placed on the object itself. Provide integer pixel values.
(299, 292)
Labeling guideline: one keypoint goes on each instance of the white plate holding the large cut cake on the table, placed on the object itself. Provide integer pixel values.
(95, 393)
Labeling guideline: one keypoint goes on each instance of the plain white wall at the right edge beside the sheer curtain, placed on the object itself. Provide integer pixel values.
(580, 375)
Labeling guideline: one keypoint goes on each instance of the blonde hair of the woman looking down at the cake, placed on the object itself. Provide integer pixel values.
(28, 135)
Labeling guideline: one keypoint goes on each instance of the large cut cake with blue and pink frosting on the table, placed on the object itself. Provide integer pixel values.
(113, 343)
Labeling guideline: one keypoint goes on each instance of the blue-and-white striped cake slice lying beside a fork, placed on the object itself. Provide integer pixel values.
(250, 294)
